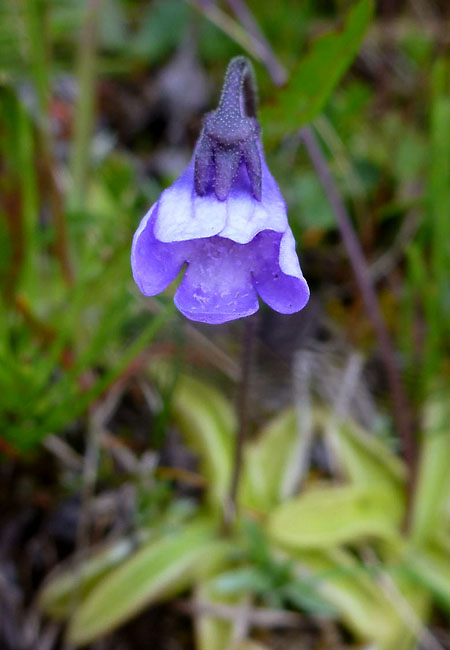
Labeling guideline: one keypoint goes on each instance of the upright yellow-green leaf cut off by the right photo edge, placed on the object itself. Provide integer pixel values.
(433, 477)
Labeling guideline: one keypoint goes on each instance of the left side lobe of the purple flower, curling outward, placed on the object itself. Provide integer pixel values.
(155, 264)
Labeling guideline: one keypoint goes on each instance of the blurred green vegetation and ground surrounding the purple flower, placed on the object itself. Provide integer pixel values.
(117, 419)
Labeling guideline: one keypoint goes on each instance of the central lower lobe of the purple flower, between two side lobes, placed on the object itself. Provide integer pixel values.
(217, 285)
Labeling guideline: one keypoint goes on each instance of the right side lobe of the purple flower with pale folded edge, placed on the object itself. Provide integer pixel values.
(279, 280)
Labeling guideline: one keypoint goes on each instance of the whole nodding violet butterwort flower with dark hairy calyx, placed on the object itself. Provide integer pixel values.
(224, 220)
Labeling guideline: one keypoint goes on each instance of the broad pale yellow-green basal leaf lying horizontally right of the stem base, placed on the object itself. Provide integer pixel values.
(326, 517)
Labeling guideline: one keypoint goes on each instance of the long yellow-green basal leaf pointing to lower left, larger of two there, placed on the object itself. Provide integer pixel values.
(156, 571)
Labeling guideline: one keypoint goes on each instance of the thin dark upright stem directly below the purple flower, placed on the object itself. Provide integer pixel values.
(248, 344)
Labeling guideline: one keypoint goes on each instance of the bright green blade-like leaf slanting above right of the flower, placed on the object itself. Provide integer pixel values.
(318, 73)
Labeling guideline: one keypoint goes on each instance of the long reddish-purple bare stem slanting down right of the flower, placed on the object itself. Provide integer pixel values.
(401, 408)
